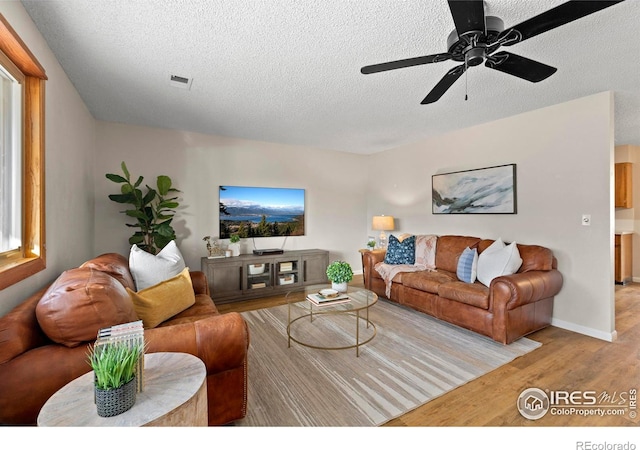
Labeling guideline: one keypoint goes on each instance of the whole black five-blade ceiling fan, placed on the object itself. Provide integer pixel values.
(477, 37)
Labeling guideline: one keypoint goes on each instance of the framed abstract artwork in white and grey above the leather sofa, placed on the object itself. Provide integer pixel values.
(490, 190)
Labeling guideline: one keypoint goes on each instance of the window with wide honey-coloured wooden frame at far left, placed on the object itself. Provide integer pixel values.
(22, 80)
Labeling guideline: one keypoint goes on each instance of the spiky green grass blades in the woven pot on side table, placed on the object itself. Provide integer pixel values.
(114, 364)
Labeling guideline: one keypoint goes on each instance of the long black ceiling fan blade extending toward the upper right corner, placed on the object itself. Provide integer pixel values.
(555, 17)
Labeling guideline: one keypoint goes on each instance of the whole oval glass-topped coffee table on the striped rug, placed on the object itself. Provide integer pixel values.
(303, 315)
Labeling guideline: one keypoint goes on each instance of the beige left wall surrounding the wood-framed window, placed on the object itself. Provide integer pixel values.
(70, 143)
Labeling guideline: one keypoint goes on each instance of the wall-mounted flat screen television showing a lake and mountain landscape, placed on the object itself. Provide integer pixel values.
(261, 211)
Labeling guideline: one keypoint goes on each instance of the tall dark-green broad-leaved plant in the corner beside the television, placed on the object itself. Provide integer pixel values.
(153, 210)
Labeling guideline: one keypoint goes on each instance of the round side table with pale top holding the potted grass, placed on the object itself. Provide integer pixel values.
(174, 394)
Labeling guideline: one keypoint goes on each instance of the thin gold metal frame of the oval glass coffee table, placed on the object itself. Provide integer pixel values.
(360, 302)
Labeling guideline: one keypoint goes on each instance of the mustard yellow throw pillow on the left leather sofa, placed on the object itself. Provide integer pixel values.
(164, 300)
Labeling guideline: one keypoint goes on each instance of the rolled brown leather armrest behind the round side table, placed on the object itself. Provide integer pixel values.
(221, 341)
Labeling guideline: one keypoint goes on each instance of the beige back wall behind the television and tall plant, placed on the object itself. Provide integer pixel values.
(335, 187)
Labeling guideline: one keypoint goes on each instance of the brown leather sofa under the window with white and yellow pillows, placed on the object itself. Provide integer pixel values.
(33, 367)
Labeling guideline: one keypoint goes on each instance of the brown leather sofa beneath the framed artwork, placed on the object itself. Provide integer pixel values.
(511, 307)
